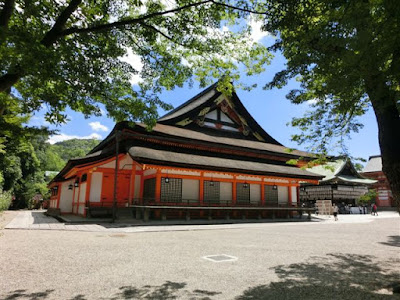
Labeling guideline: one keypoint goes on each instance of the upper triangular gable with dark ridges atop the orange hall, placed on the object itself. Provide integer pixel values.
(217, 114)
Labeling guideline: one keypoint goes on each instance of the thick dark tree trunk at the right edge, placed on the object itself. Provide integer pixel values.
(387, 116)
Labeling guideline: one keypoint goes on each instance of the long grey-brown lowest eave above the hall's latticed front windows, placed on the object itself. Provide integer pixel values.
(146, 155)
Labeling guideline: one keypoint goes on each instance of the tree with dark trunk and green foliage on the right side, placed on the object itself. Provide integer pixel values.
(346, 56)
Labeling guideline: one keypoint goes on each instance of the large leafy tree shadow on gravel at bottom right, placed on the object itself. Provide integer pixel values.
(335, 276)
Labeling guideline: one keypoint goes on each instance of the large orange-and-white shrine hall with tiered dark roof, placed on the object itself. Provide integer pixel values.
(208, 158)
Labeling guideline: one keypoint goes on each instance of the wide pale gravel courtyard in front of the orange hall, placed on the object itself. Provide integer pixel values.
(273, 261)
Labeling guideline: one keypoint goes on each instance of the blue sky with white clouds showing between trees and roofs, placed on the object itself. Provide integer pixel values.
(269, 108)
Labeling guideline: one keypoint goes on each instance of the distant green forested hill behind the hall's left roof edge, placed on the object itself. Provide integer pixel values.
(57, 155)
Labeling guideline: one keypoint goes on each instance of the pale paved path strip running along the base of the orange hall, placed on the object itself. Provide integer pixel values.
(37, 220)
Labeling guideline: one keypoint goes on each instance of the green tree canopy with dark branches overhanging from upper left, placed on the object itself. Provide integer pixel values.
(68, 53)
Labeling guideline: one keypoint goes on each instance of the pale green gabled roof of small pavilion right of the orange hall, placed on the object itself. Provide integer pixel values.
(340, 170)
